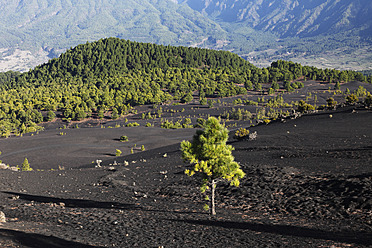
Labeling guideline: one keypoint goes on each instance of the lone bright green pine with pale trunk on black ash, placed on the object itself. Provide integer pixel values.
(212, 158)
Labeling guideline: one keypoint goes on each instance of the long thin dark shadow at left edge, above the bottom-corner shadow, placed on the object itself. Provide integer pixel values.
(74, 203)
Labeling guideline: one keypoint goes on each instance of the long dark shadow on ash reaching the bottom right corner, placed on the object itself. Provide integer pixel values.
(345, 237)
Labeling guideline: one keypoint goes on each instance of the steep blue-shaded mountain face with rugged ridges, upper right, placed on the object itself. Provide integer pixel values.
(290, 18)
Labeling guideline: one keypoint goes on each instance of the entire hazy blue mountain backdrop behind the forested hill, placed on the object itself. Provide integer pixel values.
(322, 33)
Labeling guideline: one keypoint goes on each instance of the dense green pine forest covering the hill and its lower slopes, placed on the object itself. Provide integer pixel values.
(105, 79)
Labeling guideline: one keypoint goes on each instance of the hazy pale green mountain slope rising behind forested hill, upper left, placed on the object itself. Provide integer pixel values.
(56, 25)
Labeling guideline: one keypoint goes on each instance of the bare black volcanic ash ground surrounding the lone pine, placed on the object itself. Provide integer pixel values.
(308, 184)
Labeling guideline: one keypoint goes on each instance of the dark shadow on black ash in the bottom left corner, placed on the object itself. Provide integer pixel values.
(34, 240)
